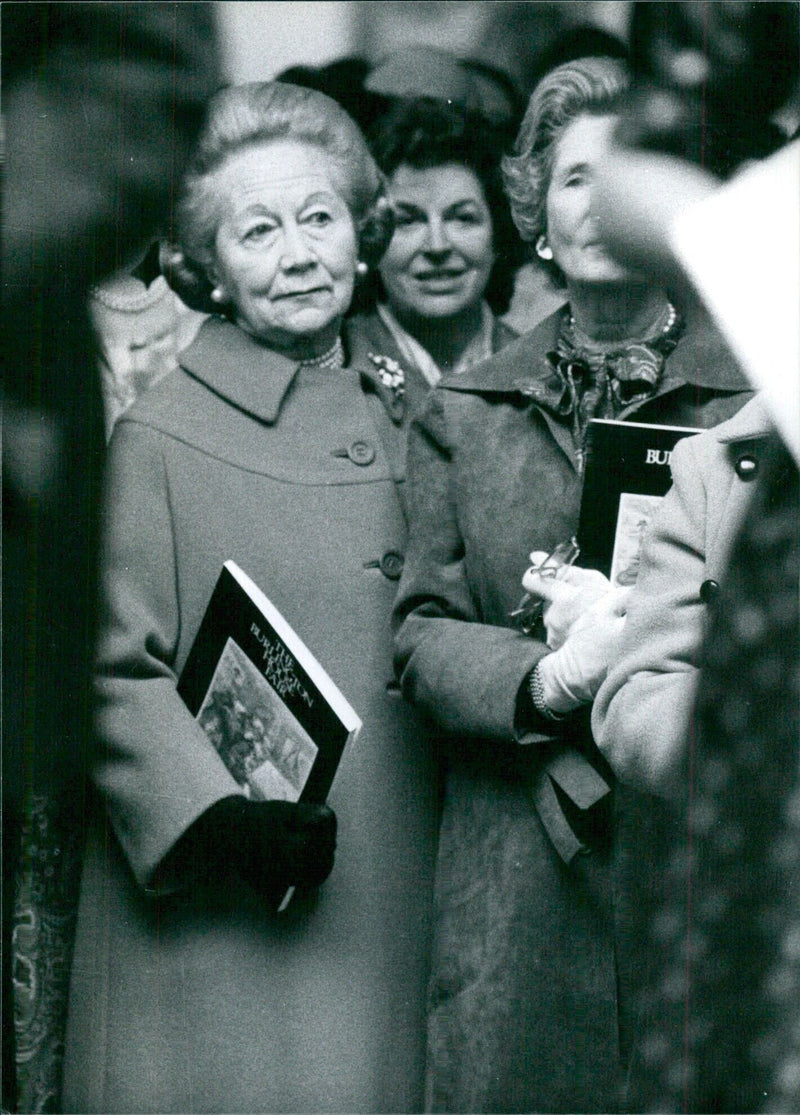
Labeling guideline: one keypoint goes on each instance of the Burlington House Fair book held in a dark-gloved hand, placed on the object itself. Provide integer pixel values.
(272, 712)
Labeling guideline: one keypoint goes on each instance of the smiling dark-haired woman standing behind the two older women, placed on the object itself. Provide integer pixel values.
(450, 267)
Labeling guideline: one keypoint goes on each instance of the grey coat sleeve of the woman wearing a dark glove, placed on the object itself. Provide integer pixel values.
(156, 768)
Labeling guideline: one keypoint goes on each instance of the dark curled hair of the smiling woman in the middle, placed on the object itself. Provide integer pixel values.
(425, 133)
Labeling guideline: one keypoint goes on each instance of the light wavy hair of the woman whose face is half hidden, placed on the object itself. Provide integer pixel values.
(587, 86)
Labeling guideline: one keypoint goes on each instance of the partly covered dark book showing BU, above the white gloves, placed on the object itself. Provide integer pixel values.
(626, 476)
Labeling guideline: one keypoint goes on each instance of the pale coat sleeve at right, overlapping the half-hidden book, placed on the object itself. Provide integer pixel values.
(642, 716)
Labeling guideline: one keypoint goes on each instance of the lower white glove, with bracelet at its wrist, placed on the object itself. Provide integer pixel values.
(573, 674)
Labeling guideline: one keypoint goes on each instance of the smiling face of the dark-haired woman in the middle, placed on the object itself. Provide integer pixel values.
(441, 254)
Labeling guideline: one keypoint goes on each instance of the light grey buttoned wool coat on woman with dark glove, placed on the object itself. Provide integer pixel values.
(203, 1002)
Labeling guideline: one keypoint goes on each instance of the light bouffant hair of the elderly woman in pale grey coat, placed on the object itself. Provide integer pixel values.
(244, 117)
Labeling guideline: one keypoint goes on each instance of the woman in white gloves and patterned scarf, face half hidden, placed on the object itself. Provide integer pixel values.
(524, 992)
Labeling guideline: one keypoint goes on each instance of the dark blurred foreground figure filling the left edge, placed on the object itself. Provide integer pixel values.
(100, 102)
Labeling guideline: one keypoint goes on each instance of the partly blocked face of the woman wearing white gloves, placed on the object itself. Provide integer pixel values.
(572, 232)
